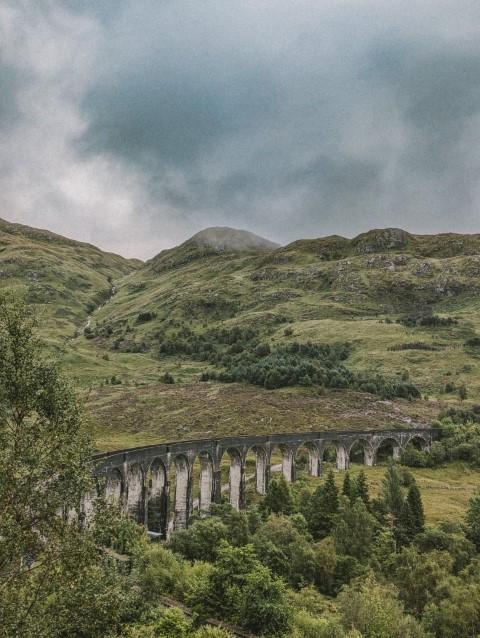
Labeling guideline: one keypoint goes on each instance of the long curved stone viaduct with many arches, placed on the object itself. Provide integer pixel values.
(156, 483)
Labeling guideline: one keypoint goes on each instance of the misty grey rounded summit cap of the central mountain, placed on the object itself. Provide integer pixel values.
(225, 239)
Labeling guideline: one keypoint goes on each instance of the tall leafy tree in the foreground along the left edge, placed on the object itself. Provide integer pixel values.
(52, 576)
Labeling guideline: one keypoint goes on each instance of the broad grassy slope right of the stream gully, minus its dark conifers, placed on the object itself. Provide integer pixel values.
(369, 291)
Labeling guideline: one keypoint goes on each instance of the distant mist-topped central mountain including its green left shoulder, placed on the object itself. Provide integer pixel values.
(218, 240)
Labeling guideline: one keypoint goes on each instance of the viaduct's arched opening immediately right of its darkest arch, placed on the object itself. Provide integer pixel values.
(179, 491)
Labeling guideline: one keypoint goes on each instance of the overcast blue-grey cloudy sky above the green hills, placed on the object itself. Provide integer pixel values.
(132, 124)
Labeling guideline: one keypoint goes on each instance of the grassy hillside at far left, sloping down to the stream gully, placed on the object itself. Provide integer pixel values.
(64, 278)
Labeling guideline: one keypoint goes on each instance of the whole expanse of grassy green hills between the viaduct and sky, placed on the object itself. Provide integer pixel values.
(393, 316)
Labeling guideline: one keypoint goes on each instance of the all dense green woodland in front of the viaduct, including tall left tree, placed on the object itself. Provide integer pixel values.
(306, 560)
